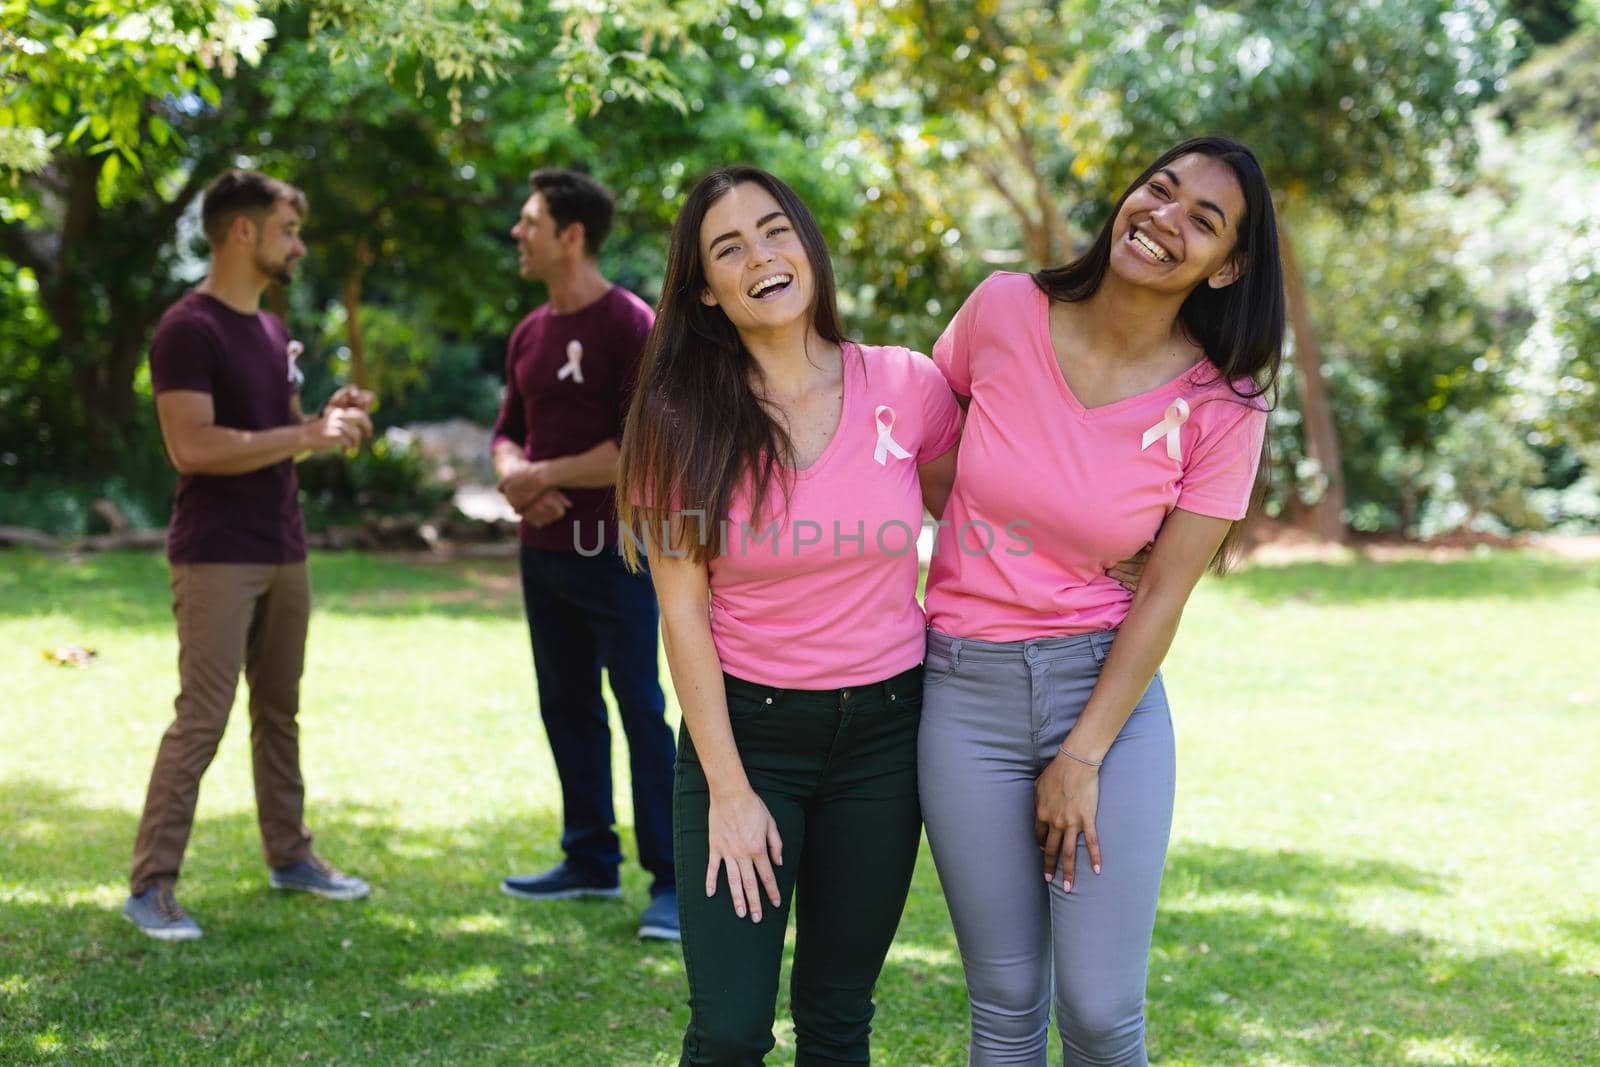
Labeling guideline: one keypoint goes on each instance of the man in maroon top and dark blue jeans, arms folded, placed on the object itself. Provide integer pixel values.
(570, 372)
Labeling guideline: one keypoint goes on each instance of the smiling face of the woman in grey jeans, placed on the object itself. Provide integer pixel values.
(1180, 228)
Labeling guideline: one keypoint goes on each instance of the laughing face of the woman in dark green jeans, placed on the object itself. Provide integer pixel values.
(756, 266)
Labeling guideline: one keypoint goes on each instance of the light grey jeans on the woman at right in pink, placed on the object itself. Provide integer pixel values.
(993, 719)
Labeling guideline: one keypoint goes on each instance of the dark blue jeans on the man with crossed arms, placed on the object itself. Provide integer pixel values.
(586, 613)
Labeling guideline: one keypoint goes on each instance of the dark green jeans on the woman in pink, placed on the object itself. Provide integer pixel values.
(838, 770)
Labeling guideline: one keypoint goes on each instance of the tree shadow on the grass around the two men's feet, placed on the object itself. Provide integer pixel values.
(436, 967)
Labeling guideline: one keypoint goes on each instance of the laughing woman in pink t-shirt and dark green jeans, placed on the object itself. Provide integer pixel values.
(770, 466)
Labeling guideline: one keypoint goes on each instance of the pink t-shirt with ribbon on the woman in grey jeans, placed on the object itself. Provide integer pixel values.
(1050, 494)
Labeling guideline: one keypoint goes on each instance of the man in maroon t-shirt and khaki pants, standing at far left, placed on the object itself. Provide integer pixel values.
(226, 396)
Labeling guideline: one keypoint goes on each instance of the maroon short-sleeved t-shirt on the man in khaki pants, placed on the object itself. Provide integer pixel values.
(242, 361)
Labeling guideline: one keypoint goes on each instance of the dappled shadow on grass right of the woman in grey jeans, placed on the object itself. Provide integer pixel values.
(1258, 959)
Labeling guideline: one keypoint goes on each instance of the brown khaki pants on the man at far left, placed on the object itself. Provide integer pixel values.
(231, 617)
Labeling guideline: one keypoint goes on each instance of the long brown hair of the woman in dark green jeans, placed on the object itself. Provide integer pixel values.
(695, 428)
